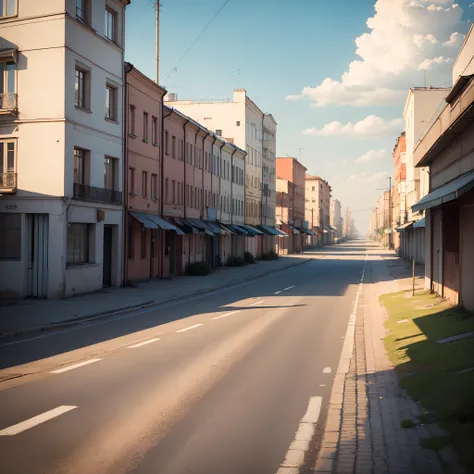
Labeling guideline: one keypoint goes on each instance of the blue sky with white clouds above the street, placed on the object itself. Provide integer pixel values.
(334, 74)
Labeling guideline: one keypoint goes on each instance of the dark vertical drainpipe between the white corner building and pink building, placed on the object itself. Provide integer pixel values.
(127, 69)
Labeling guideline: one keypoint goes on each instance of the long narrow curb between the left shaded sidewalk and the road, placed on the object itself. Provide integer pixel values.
(125, 309)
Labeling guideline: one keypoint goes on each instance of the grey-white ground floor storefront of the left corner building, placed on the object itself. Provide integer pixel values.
(50, 248)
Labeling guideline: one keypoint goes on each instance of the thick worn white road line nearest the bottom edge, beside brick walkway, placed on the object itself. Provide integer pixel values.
(296, 452)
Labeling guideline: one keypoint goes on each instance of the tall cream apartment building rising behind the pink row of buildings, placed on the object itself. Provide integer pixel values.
(242, 122)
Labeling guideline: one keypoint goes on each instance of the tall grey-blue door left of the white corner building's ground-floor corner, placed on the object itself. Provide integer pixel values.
(37, 235)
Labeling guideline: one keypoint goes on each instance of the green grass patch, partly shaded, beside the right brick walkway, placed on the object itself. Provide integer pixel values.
(429, 371)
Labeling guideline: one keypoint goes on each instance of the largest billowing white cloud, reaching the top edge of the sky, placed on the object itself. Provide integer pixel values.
(405, 38)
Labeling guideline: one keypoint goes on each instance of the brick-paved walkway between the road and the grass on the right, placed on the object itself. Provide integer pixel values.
(363, 433)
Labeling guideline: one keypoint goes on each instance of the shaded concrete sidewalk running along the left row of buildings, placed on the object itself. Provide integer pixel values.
(30, 316)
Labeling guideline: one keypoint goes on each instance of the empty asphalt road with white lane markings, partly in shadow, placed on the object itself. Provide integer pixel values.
(222, 383)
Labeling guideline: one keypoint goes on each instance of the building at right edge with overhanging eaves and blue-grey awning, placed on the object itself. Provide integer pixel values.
(447, 148)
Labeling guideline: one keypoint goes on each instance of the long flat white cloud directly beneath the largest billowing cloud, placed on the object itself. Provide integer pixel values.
(371, 126)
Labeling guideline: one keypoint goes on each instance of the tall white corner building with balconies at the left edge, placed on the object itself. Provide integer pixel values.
(61, 198)
